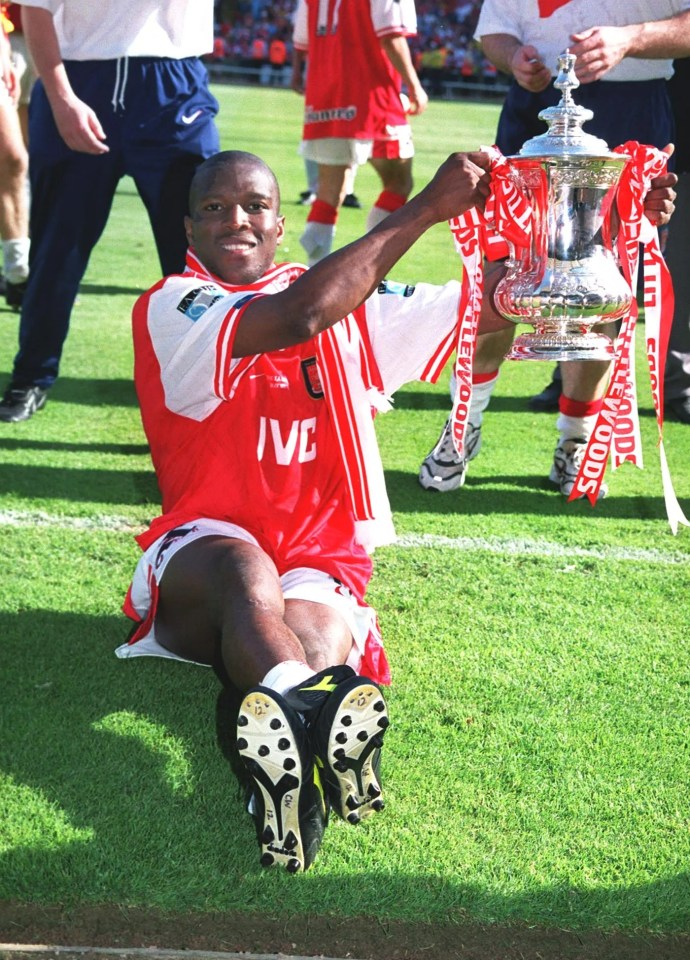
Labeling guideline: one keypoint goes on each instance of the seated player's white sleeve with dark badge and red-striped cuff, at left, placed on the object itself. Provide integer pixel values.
(191, 325)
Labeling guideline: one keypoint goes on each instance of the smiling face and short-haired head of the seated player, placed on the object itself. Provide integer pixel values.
(235, 225)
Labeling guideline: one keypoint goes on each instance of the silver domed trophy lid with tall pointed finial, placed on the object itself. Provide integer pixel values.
(565, 136)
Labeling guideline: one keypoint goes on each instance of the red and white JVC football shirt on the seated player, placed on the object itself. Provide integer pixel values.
(251, 441)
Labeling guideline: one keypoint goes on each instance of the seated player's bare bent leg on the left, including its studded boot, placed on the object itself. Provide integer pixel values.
(224, 595)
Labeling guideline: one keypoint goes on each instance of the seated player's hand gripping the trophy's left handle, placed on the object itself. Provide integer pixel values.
(461, 182)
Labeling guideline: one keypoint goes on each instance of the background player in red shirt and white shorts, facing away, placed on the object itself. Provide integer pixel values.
(358, 60)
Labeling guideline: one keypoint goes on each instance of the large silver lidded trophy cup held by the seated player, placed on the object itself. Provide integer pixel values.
(567, 281)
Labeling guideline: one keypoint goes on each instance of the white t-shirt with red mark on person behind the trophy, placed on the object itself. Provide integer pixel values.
(551, 34)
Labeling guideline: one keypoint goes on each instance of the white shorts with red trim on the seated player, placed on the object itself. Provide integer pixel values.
(301, 583)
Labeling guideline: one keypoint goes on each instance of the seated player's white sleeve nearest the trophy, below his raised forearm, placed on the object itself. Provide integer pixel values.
(406, 325)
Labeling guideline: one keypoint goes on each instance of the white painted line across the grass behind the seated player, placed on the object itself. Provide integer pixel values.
(504, 546)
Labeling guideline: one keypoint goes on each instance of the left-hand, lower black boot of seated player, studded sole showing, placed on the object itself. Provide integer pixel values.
(290, 808)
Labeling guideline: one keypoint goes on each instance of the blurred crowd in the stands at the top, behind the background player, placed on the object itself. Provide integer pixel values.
(257, 35)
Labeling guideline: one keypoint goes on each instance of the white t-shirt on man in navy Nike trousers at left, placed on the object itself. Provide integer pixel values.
(107, 30)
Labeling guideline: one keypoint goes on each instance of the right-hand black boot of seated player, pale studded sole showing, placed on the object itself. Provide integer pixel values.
(348, 735)
